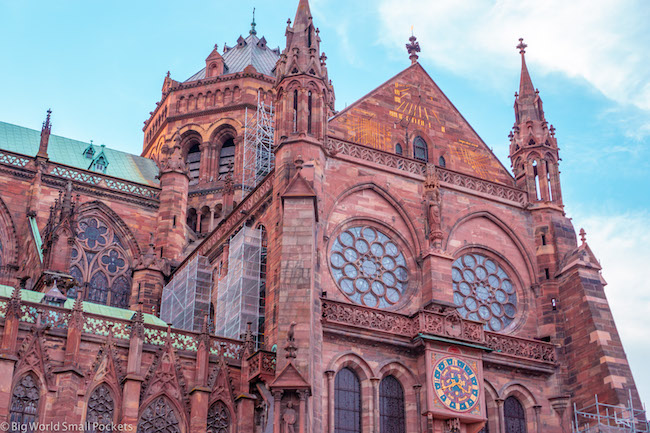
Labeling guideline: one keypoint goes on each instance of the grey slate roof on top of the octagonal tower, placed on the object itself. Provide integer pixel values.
(238, 57)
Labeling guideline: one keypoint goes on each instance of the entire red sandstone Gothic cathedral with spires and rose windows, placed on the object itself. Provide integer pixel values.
(268, 264)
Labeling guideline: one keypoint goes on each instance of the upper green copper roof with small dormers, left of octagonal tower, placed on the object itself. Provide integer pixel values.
(70, 152)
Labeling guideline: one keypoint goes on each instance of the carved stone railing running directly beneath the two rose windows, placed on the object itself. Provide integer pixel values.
(447, 324)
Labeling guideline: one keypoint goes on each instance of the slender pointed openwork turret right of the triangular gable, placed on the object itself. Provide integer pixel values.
(533, 146)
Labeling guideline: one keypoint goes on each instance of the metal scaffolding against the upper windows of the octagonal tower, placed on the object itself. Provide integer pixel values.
(258, 145)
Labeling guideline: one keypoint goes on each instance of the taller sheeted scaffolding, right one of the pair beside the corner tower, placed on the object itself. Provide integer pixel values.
(238, 301)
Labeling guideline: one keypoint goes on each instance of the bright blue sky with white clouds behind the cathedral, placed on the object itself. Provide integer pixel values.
(100, 67)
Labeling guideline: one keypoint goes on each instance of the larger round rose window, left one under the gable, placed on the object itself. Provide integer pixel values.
(369, 267)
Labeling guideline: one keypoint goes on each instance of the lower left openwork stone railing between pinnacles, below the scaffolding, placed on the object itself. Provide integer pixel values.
(94, 324)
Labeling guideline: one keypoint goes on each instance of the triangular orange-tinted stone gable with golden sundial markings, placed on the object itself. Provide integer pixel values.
(412, 101)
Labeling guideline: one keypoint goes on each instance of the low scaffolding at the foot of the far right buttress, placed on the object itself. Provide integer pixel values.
(605, 418)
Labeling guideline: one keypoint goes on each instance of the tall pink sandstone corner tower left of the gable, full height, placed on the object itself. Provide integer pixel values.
(304, 99)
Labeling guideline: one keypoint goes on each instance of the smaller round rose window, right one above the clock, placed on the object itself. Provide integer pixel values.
(484, 291)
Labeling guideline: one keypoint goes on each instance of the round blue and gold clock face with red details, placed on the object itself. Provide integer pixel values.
(455, 384)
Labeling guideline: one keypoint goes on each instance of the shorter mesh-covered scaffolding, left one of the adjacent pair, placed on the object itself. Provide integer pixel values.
(186, 298)
